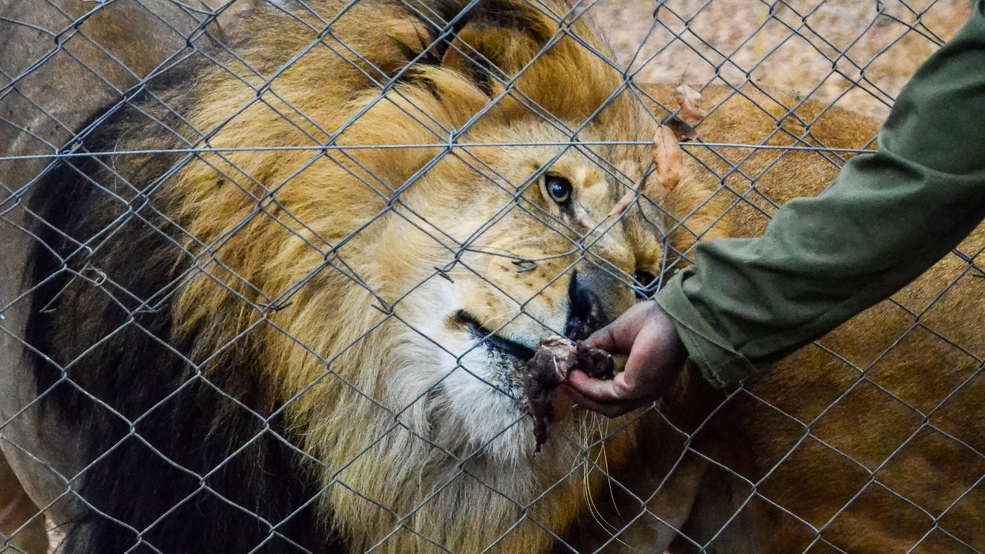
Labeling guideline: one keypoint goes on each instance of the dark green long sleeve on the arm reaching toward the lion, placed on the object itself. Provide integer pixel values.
(747, 303)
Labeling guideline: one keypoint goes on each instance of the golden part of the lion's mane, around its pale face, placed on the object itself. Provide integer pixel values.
(323, 229)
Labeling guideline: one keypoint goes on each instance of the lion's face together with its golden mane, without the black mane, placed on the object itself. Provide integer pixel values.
(413, 281)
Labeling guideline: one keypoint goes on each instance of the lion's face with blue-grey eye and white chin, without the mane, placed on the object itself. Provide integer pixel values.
(520, 247)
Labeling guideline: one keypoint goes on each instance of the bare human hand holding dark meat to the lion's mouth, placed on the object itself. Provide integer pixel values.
(656, 357)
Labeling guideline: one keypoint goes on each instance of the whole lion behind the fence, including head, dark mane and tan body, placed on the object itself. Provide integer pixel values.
(293, 333)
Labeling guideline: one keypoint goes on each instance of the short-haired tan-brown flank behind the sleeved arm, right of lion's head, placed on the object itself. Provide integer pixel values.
(809, 432)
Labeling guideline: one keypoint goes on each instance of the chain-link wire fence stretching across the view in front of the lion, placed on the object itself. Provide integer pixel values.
(273, 271)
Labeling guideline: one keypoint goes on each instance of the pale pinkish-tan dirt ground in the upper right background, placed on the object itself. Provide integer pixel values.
(856, 54)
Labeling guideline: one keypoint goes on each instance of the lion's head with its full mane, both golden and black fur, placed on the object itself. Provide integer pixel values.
(257, 347)
